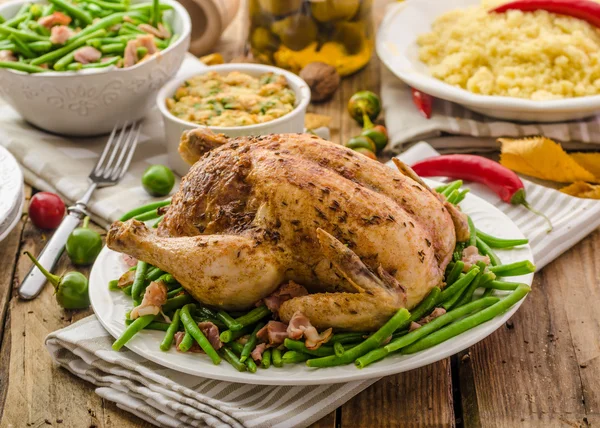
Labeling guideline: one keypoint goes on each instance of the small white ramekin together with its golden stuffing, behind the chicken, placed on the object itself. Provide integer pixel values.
(232, 99)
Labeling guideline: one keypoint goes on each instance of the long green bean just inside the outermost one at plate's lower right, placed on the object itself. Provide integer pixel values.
(423, 331)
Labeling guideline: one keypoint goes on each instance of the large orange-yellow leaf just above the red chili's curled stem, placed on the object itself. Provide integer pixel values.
(542, 158)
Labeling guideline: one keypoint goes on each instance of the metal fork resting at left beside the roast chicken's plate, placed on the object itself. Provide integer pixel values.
(110, 168)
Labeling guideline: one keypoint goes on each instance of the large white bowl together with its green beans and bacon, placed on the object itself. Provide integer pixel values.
(135, 48)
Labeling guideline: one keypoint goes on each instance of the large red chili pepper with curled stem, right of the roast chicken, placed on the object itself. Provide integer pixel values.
(501, 180)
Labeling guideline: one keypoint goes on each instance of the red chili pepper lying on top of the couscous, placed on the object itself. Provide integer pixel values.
(586, 10)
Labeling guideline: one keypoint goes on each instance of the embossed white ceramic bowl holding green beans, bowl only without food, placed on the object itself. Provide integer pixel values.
(91, 102)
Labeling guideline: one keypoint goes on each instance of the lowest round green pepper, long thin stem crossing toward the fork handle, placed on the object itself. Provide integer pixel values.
(71, 289)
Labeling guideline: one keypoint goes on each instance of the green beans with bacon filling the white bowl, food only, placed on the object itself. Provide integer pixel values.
(65, 35)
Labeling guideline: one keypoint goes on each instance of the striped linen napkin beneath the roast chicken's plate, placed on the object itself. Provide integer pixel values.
(168, 398)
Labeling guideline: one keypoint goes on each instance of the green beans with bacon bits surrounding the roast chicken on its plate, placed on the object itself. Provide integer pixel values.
(467, 300)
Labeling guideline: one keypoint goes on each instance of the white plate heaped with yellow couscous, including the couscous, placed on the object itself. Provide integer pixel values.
(526, 66)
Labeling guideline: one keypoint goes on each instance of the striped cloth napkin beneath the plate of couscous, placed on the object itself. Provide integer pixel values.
(406, 124)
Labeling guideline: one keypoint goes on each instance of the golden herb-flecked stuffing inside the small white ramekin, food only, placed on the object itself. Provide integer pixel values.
(235, 99)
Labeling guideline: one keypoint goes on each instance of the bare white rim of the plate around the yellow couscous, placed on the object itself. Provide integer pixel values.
(397, 48)
